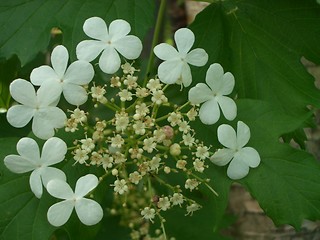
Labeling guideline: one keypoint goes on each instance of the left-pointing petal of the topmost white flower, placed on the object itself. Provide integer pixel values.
(88, 50)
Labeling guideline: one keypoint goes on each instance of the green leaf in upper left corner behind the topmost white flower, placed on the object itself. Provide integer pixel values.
(26, 25)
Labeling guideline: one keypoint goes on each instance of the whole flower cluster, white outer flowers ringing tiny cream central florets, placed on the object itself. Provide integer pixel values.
(142, 142)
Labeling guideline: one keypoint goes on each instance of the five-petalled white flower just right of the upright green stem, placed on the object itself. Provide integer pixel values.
(175, 68)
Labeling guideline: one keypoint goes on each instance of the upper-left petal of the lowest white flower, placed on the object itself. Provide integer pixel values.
(60, 189)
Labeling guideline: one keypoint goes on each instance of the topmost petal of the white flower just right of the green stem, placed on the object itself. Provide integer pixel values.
(184, 39)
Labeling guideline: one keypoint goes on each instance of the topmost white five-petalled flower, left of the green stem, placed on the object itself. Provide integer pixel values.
(110, 42)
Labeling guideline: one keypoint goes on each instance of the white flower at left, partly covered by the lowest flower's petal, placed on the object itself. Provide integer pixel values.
(29, 159)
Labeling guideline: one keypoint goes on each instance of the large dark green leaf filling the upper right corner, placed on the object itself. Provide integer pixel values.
(261, 43)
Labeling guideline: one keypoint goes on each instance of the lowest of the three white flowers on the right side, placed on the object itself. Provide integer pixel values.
(241, 157)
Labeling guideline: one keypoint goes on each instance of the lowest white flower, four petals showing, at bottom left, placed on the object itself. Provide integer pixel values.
(88, 210)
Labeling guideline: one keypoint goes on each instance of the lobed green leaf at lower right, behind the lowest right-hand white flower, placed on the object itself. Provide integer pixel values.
(287, 181)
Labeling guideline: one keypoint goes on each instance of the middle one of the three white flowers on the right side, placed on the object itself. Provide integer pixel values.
(220, 84)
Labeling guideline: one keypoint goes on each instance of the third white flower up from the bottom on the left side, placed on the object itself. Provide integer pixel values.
(40, 106)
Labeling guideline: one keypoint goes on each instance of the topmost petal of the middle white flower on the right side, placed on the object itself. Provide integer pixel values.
(214, 77)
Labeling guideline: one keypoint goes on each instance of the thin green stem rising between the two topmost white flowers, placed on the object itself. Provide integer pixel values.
(155, 38)
